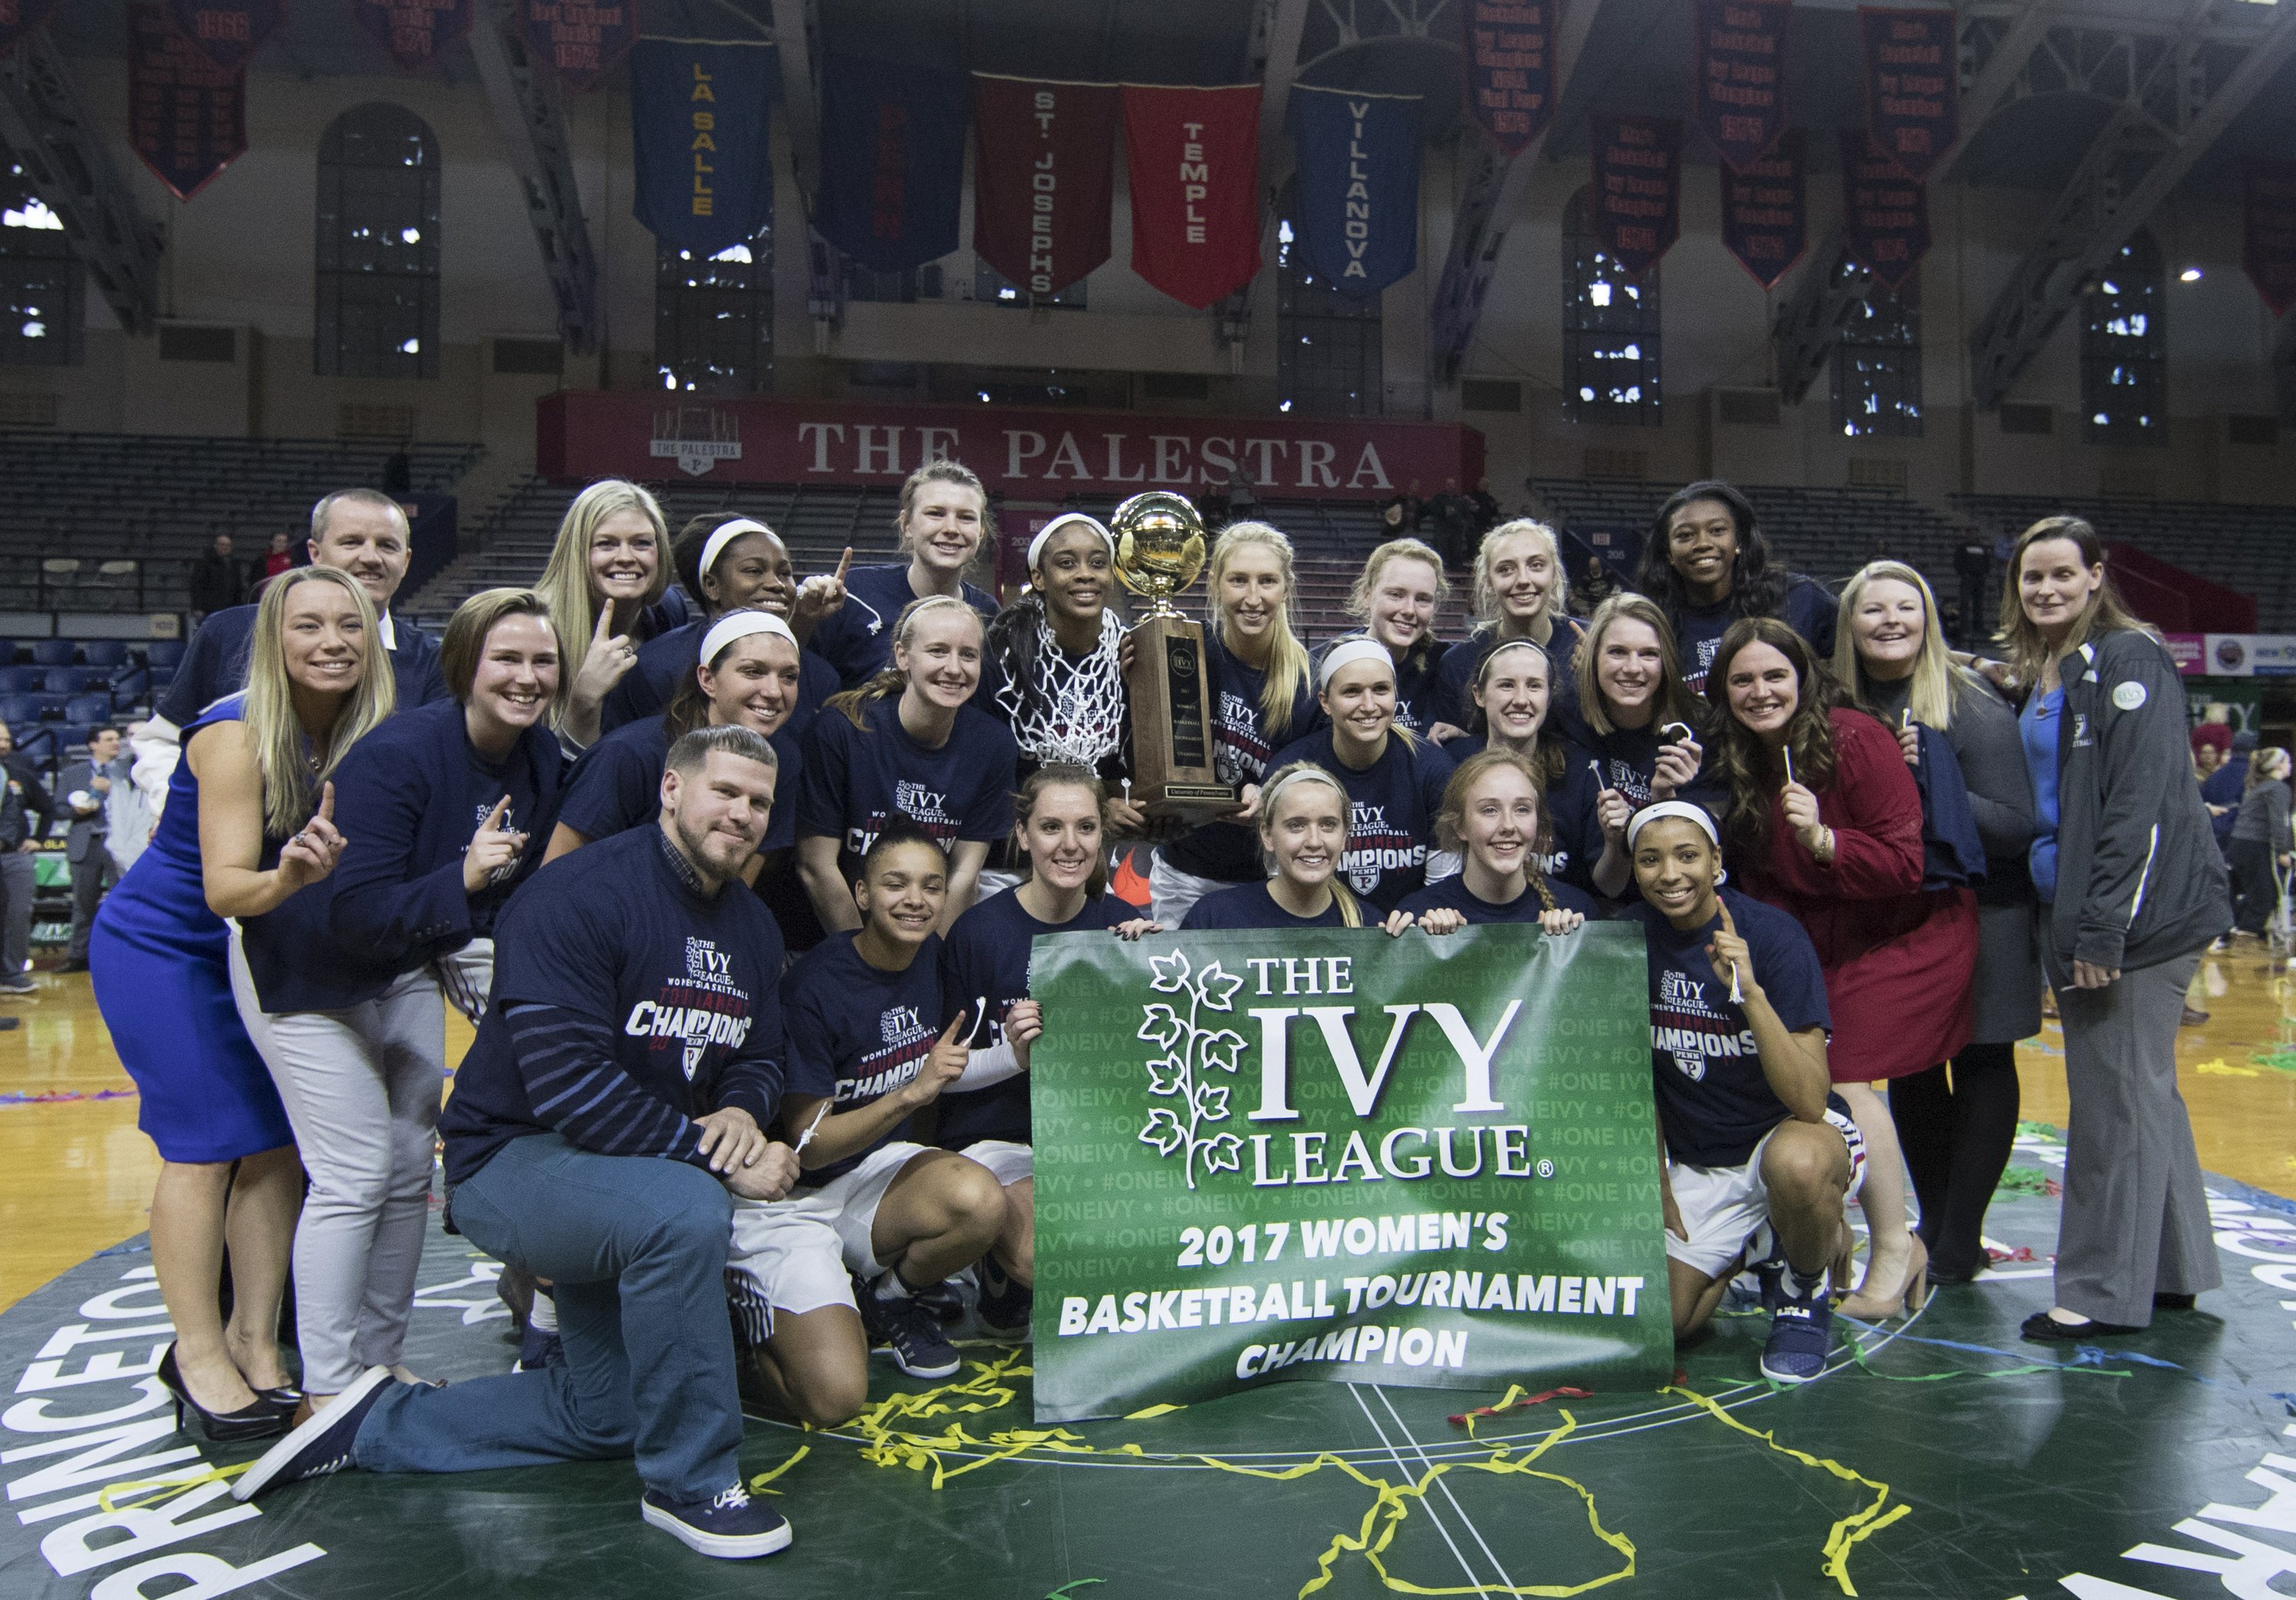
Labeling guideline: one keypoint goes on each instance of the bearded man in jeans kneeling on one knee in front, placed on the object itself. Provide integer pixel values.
(600, 1128)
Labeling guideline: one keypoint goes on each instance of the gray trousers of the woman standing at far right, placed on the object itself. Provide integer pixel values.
(2136, 1220)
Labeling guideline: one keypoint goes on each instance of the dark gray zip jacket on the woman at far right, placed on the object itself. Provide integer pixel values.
(2139, 873)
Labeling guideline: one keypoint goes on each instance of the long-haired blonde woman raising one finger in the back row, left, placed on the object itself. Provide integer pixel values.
(603, 584)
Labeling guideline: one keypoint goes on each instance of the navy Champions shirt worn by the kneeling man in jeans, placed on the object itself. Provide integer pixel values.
(685, 986)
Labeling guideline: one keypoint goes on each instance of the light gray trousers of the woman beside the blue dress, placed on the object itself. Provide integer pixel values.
(362, 1092)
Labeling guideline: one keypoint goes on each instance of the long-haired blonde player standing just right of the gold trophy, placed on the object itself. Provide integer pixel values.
(1262, 699)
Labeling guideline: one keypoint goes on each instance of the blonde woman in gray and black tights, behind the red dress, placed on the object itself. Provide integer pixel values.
(1957, 1124)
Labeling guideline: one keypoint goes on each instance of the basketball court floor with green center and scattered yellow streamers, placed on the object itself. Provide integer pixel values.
(1941, 1457)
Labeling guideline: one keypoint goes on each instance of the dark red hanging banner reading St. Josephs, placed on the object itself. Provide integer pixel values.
(1044, 180)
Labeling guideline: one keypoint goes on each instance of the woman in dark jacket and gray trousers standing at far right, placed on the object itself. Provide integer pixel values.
(2134, 890)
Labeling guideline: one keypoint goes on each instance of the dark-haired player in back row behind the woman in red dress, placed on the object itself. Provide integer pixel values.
(1707, 566)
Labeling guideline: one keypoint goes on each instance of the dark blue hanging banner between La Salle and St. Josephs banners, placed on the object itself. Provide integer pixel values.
(892, 160)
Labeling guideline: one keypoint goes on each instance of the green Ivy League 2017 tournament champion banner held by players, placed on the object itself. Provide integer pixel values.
(1349, 1158)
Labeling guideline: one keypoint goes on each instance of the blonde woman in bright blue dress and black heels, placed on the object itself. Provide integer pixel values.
(249, 823)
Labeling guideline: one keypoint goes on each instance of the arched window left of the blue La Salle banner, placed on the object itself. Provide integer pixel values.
(378, 256)
